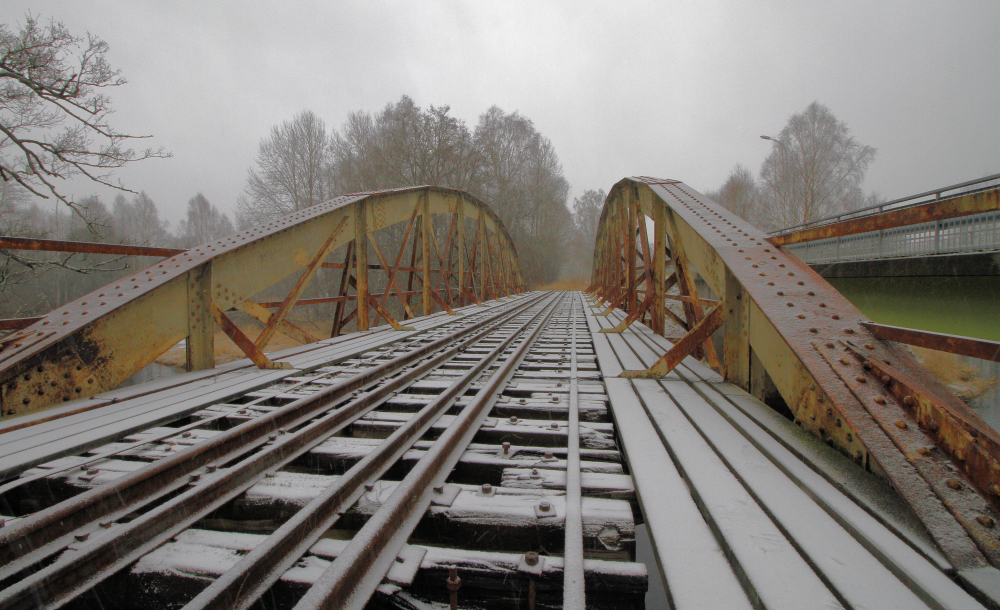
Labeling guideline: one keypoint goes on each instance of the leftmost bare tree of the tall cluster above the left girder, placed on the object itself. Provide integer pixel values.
(293, 171)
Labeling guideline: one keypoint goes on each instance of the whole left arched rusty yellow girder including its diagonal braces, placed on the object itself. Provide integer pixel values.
(94, 343)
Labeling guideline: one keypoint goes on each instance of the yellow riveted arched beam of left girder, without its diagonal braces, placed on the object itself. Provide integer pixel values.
(94, 343)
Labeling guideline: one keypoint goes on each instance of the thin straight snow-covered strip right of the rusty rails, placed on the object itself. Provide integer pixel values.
(574, 589)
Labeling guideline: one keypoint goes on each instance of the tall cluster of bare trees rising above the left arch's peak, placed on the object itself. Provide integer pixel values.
(504, 161)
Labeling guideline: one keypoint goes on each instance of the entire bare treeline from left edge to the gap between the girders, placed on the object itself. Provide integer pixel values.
(503, 161)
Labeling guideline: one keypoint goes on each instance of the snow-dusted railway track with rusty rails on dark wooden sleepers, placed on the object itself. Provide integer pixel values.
(471, 461)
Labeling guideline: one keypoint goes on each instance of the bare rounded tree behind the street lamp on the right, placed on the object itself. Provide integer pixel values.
(815, 169)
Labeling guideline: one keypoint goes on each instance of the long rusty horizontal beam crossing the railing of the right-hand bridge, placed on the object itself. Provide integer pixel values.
(976, 203)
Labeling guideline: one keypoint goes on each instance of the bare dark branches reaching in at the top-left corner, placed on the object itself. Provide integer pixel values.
(54, 114)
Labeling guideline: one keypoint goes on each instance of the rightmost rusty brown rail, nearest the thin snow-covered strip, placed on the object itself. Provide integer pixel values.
(353, 577)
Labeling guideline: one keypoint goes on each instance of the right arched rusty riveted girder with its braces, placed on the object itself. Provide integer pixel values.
(786, 330)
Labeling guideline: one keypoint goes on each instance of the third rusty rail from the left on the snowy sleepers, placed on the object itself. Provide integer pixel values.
(248, 580)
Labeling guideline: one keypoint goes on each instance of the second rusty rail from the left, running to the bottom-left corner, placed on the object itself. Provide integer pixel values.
(62, 581)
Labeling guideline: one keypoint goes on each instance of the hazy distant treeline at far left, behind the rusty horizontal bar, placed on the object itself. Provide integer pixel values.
(33, 283)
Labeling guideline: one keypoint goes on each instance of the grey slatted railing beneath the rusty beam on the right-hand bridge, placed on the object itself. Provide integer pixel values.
(976, 233)
